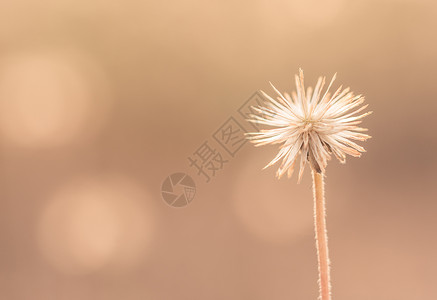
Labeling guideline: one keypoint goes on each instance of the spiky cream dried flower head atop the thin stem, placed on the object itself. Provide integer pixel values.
(311, 124)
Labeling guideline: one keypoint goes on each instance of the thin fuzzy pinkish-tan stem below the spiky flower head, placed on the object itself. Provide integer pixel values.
(321, 236)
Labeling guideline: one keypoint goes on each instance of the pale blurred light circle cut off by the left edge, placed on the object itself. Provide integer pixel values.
(49, 97)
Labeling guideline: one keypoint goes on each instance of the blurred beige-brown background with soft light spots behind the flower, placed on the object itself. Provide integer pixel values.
(100, 101)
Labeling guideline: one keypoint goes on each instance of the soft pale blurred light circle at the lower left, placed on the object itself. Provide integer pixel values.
(96, 221)
